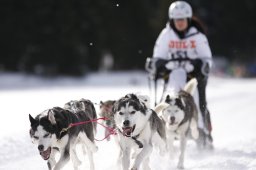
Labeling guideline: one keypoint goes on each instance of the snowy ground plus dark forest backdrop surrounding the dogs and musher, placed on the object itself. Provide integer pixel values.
(54, 51)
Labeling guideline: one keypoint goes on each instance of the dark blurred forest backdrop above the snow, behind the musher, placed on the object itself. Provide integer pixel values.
(75, 37)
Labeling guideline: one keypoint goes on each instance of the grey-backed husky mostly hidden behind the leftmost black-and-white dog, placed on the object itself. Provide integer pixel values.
(85, 106)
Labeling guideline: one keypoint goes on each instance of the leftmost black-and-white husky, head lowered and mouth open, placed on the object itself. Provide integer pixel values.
(49, 130)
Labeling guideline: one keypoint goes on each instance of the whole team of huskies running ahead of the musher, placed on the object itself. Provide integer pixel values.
(138, 128)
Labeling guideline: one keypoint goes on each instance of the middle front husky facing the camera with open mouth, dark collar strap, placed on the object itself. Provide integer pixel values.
(136, 124)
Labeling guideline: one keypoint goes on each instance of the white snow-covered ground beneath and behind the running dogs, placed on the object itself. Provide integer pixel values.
(232, 103)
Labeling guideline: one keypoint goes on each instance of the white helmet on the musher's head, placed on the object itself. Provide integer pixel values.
(180, 9)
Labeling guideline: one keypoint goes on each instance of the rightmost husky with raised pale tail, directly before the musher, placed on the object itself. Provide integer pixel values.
(179, 113)
